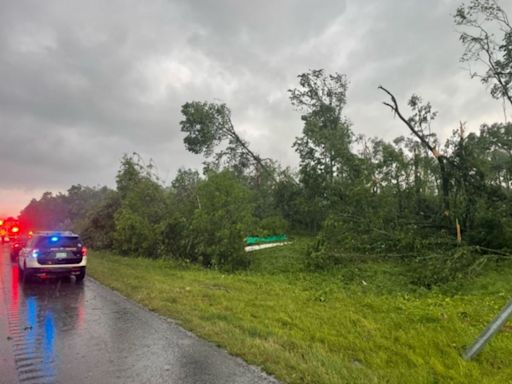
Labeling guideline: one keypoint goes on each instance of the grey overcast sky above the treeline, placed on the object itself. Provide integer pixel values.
(83, 82)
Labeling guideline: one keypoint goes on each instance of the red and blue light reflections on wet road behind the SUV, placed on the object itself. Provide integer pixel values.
(31, 318)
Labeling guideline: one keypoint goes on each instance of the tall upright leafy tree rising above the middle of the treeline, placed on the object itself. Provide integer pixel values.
(326, 161)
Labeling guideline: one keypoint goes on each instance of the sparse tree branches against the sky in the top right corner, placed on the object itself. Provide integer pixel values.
(487, 40)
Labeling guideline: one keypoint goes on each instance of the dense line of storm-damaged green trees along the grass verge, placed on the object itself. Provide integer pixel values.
(445, 207)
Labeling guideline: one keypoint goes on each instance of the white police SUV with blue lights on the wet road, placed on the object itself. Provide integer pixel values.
(53, 254)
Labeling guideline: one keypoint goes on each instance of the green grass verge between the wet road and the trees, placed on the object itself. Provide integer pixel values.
(363, 323)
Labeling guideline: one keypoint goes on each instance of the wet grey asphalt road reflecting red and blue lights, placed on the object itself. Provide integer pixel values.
(57, 331)
